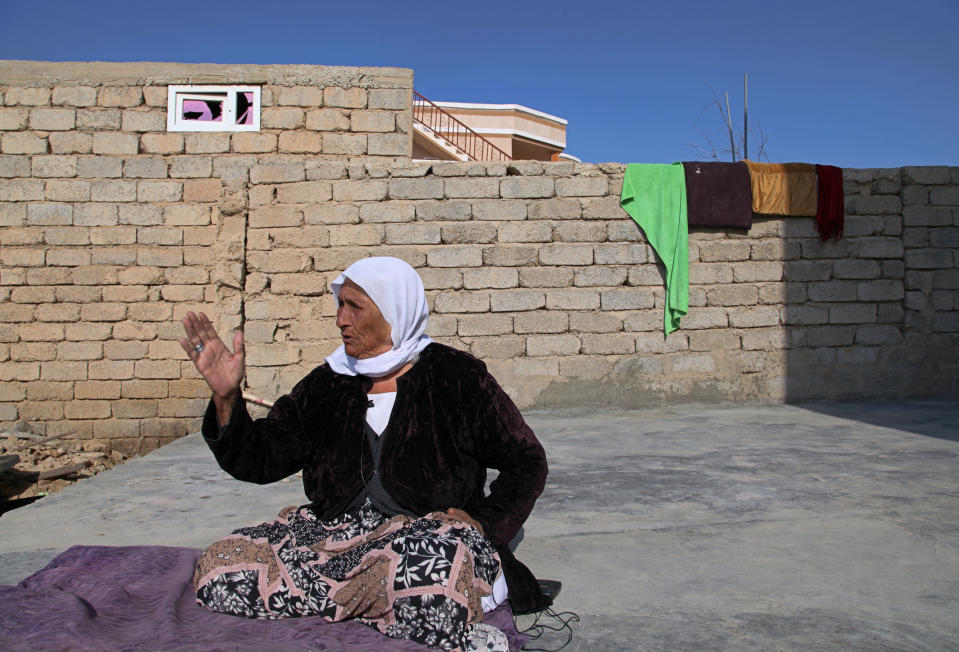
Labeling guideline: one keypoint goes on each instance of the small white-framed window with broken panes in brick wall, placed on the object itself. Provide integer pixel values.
(213, 108)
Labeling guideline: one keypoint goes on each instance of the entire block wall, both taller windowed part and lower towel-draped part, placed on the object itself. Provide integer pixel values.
(112, 228)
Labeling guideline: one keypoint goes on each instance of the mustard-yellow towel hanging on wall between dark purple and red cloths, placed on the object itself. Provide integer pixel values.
(783, 188)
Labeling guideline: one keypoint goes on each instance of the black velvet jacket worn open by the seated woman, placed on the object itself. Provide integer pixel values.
(451, 421)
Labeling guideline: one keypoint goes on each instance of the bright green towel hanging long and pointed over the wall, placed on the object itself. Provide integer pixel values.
(655, 197)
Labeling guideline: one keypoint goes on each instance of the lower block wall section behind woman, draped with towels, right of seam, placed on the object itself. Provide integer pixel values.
(536, 269)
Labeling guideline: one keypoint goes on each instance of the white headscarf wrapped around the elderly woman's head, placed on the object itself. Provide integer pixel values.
(397, 290)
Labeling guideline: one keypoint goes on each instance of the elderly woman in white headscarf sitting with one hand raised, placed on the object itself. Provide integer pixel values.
(394, 435)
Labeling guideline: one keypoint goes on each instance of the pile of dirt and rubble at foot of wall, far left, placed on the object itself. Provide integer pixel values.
(33, 465)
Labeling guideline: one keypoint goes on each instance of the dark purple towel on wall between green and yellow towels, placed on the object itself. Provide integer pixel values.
(718, 194)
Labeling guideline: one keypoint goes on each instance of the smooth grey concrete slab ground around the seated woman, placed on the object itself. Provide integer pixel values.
(691, 527)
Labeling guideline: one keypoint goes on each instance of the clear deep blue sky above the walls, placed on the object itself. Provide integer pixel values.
(849, 83)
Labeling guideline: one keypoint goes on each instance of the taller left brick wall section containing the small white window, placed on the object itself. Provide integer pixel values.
(111, 227)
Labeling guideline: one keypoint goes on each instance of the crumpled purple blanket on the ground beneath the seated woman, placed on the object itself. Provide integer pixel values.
(141, 598)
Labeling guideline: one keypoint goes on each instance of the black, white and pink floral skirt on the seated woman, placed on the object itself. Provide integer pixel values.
(419, 579)
